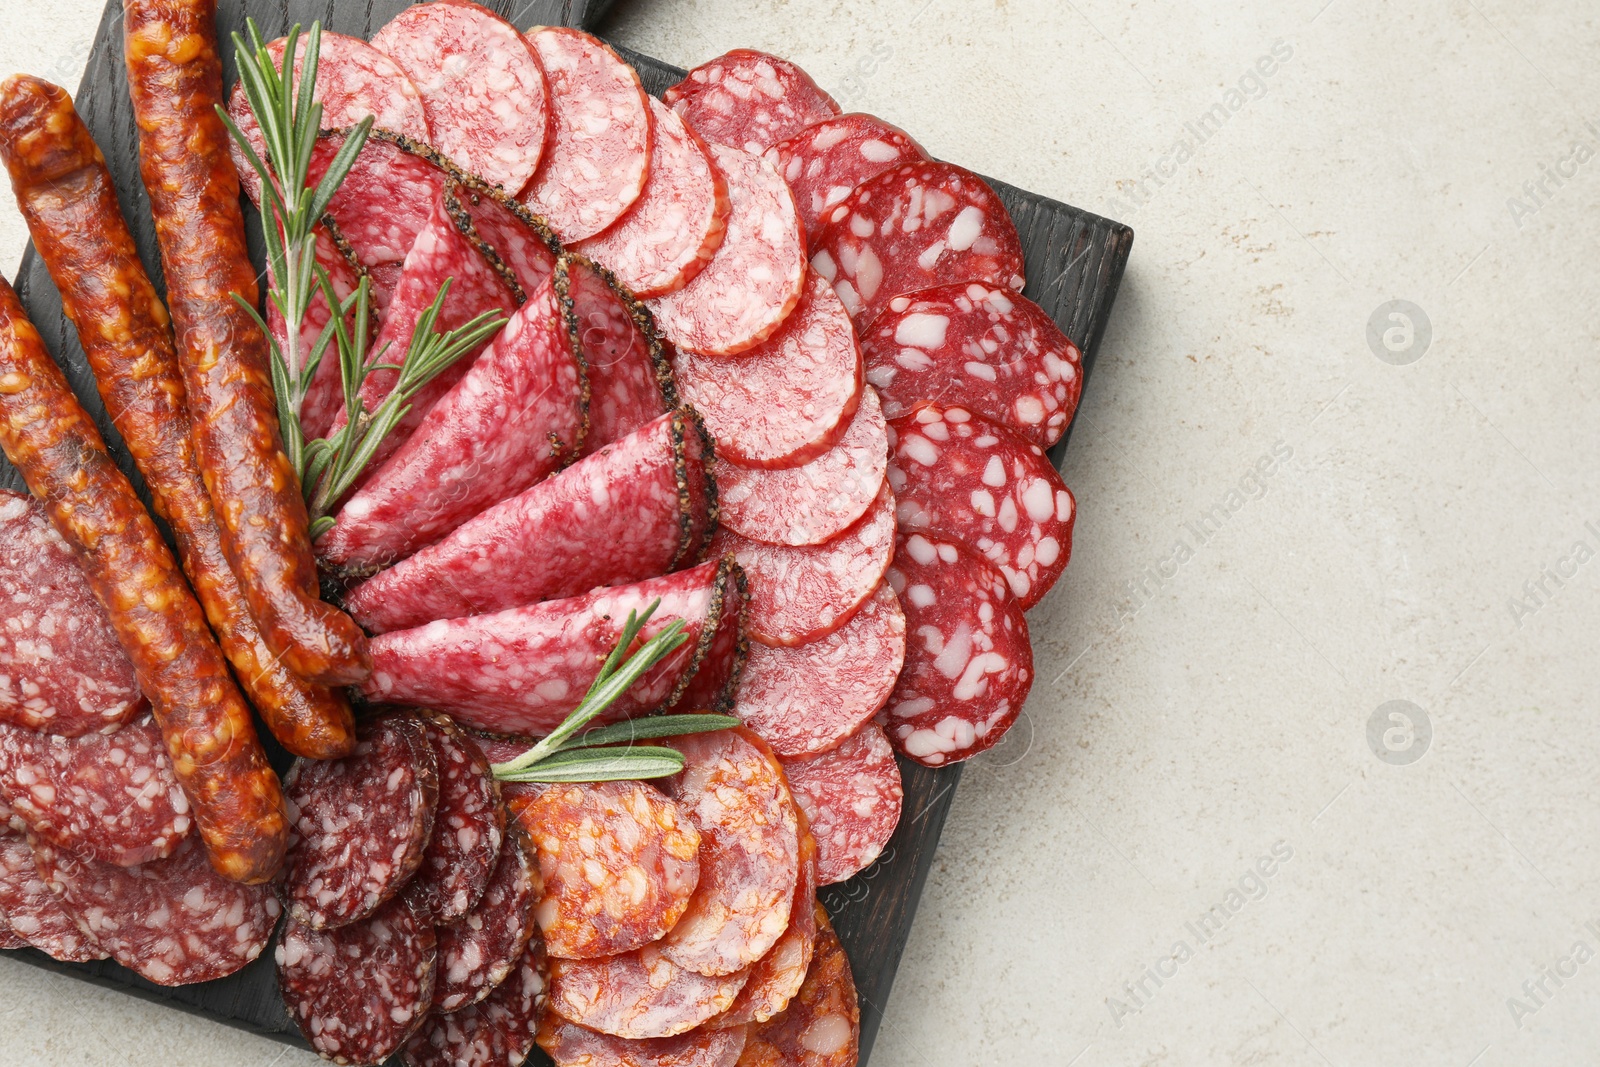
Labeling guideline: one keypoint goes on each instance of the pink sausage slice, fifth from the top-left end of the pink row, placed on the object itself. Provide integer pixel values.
(754, 281)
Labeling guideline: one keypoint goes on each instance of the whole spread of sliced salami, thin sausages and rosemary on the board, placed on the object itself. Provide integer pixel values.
(604, 498)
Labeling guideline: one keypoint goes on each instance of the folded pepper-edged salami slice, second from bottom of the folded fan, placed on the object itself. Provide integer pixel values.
(620, 516)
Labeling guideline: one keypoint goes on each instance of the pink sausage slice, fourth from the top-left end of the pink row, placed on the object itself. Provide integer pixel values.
(679, 220)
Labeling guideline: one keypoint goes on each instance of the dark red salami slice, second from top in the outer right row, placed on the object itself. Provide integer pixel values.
(826, 161)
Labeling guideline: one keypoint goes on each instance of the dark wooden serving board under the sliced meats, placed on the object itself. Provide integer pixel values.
(1074, 266)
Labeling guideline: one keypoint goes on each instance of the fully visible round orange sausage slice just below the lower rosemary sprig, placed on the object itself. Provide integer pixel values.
(620, 863)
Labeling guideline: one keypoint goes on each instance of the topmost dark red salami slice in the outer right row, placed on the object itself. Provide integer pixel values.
(750, 100)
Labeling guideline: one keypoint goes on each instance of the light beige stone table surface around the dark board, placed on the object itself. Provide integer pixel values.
(1214, 839)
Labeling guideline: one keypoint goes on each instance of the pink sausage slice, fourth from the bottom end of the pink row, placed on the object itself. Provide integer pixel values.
(817, 502)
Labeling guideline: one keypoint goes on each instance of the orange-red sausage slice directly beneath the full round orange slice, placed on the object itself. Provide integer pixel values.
(639, 994)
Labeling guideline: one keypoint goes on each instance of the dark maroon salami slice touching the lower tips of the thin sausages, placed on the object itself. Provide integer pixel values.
(361, 823)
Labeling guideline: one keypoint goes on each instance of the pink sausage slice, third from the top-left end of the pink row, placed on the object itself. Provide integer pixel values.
(599, 154)
